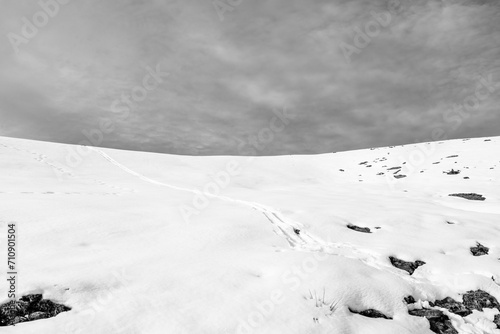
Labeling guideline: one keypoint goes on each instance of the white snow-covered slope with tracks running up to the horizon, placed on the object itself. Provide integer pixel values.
(150, 243)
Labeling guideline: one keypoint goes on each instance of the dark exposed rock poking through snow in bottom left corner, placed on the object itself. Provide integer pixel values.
(29, 308)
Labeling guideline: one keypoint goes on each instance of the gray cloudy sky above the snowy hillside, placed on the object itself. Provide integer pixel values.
(230, 63)
